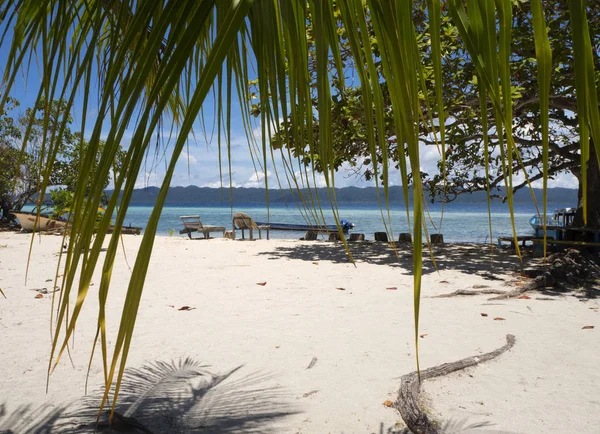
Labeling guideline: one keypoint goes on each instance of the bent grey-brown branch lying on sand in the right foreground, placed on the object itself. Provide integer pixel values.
(410, 388)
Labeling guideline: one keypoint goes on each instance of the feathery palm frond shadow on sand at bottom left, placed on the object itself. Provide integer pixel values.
(166, 397)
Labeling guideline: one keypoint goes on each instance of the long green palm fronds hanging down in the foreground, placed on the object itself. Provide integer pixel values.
(151, 65)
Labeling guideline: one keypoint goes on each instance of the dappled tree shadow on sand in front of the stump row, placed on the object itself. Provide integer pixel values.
(468, 258)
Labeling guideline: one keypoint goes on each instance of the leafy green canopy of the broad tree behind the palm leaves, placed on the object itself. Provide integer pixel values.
(463, 168)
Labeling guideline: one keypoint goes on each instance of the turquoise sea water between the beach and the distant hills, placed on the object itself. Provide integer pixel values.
(461, 223)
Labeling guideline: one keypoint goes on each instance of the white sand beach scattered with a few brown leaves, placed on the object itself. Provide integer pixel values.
(319, 348)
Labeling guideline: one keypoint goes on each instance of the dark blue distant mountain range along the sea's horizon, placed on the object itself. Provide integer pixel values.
(204, 196)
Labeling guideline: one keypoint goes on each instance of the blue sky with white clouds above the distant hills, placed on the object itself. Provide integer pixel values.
(200, 164)
